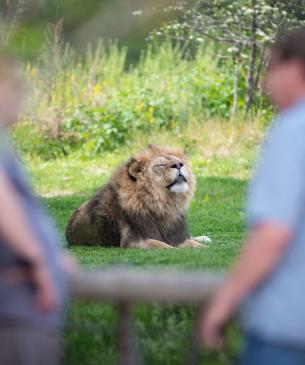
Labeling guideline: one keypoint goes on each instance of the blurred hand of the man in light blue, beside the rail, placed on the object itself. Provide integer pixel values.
(214, 321)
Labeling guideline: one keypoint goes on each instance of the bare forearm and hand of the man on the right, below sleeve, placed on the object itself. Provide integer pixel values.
(263, 250)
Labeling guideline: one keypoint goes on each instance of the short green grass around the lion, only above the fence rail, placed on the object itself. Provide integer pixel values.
(216, 212)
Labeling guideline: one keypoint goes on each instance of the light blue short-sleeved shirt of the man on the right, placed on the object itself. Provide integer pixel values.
(276, 309)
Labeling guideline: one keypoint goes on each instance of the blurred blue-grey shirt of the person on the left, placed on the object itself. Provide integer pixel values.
(17, 301)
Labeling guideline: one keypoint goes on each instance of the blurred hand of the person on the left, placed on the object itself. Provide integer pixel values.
(46, 295)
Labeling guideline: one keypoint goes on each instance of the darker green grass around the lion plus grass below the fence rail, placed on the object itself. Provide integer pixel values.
(162, 331)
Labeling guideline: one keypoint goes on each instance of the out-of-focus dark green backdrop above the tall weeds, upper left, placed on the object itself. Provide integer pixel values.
(23, 23)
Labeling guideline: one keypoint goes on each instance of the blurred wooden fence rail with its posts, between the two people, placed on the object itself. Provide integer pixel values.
(125, 287)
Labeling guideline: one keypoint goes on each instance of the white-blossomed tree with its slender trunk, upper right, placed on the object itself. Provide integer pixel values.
(242, 31)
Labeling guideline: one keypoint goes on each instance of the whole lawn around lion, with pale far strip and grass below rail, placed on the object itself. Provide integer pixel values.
(221, 160)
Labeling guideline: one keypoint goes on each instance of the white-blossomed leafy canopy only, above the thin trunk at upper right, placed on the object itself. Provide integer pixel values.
(230, 23)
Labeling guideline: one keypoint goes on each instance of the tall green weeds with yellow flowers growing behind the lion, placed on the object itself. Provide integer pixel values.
(94, 104)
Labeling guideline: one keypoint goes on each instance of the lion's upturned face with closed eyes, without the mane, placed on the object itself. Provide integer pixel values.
(163, 168)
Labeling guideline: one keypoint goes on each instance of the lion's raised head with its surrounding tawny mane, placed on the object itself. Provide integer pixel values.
(159, 179)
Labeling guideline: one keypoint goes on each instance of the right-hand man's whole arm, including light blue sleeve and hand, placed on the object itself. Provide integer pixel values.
(274, 206)
